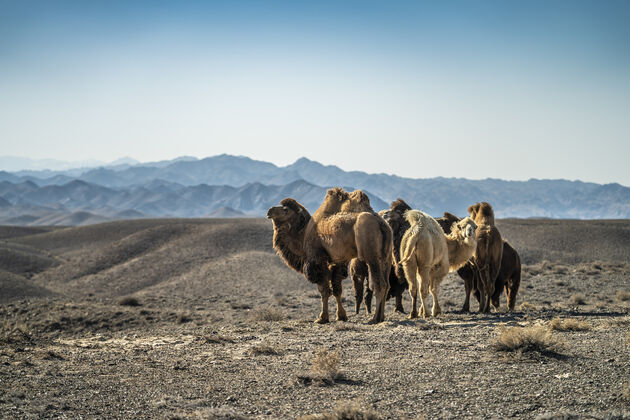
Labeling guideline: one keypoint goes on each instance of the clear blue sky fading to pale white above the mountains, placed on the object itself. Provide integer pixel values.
(476, 89)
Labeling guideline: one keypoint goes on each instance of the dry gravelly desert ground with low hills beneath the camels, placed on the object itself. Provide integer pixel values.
(199, 318)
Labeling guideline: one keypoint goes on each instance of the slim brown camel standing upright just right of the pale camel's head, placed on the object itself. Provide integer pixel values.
(487, 260)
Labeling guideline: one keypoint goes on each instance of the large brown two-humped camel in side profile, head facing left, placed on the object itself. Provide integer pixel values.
(321, 246)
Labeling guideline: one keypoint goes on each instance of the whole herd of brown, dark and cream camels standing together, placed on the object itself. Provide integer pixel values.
(394, 250)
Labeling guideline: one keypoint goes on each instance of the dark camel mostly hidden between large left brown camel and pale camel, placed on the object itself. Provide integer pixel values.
(397, 281)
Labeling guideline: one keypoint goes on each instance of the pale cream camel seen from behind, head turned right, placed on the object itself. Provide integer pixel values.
(428, 254)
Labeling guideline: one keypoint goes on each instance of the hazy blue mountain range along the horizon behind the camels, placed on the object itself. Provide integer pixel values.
(237, 186)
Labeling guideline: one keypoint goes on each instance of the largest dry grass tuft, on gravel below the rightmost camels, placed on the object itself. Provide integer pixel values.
(537, 338)
